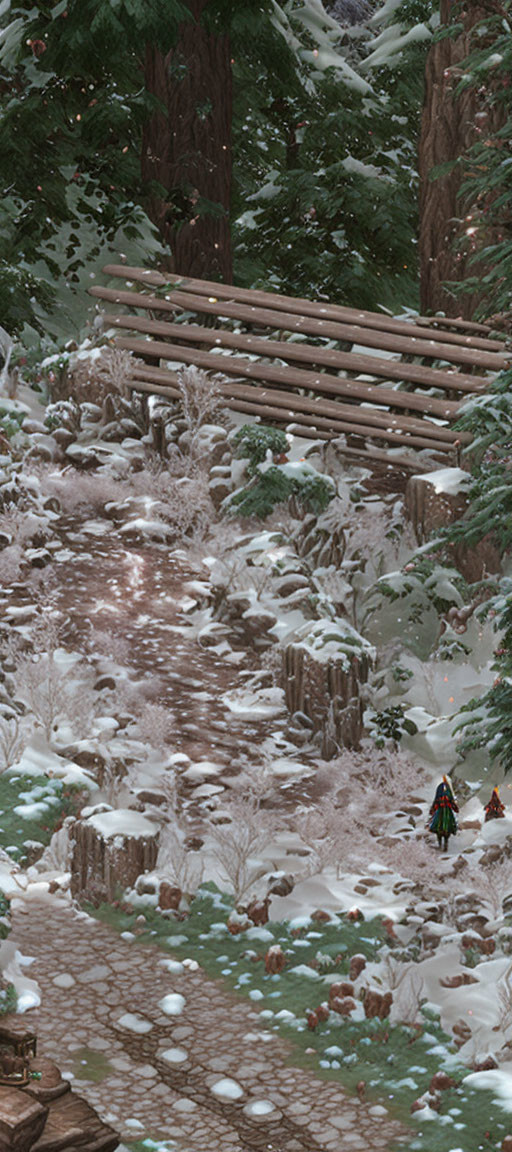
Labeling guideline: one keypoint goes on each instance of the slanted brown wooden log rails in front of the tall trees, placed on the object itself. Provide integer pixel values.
(409, 396)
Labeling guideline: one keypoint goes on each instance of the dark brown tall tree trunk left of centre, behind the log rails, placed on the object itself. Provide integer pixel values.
(187, 149)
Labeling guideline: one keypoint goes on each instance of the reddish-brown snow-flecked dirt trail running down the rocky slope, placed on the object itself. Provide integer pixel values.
(139, 596)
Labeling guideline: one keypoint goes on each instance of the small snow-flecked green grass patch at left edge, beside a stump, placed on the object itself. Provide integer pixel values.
(32, 809)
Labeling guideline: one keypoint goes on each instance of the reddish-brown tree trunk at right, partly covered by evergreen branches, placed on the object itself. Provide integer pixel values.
(450, 127)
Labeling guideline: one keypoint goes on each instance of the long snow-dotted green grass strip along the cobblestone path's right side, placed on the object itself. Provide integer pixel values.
(397, 1063)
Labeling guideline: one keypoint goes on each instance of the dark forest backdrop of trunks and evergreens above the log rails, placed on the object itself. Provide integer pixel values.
(355, 151)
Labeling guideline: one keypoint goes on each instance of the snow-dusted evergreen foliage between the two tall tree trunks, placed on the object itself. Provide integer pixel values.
(330, 166)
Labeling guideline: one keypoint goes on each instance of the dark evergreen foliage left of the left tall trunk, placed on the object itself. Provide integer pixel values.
(70, 80)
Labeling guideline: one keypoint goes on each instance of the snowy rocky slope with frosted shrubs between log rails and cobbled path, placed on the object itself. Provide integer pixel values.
(144, 662)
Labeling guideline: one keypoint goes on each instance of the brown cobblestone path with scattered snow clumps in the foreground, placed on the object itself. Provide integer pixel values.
(159, 1081)
